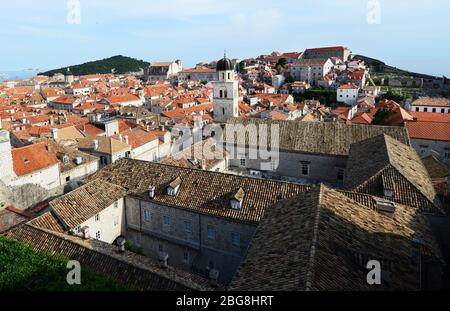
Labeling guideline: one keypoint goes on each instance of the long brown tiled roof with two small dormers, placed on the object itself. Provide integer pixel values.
(199, 191)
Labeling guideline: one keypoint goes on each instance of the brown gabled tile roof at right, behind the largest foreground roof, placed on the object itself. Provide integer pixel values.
(385, 167)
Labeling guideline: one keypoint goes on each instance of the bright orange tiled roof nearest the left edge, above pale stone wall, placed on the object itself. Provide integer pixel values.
(29, 159)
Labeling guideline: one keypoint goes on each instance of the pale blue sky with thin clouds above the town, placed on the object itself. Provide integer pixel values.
(413, 34)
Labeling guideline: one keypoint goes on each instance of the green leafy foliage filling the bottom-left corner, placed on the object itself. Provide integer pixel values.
(22, 268)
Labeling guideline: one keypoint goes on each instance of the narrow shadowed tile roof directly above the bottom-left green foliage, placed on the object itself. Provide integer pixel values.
(132, 270)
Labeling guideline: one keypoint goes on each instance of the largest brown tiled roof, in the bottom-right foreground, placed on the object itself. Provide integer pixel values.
(339, 235)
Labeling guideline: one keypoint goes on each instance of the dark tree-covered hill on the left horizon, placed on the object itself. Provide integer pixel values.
(121, 64)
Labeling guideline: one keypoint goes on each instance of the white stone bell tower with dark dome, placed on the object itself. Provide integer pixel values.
(225, 92)
